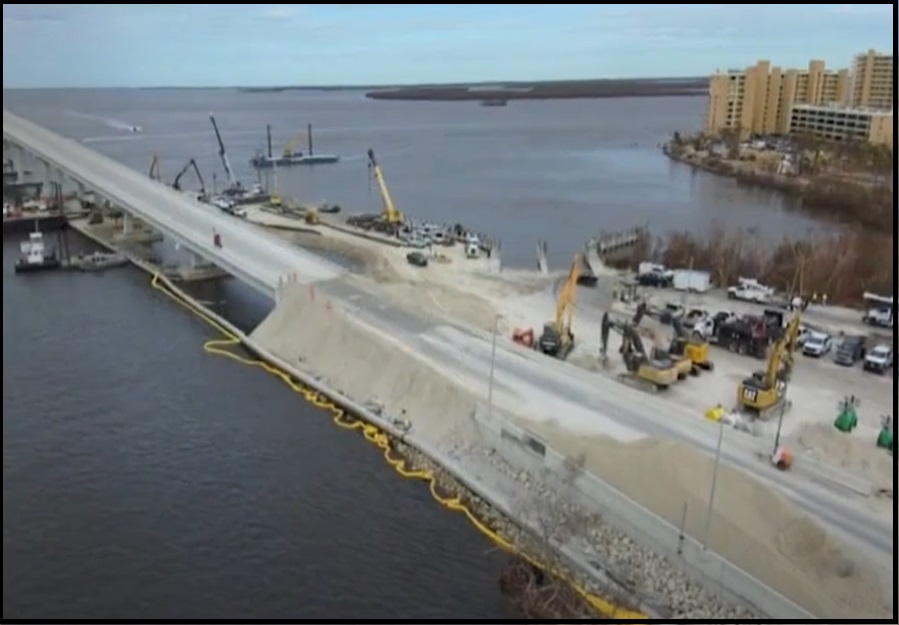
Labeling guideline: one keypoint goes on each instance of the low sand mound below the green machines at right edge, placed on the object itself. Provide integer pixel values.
(848, 451)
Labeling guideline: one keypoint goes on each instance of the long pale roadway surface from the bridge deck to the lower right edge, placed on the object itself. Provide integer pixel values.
(558, 388)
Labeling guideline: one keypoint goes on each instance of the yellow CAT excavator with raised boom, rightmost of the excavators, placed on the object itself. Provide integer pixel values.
(763, 394)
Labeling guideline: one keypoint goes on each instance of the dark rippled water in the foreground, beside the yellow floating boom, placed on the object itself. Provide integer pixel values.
(141, 474)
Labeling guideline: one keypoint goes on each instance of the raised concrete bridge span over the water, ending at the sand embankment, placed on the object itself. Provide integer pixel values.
(250, 254)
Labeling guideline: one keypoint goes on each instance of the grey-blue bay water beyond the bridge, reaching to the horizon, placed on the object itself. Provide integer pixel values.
(554, 170)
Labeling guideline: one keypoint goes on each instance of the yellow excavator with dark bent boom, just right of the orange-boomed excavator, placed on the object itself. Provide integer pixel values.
(645, 372)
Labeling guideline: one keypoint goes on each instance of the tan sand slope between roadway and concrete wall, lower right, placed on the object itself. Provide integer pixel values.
(754, 526)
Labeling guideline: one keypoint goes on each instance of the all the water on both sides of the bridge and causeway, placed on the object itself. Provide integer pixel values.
(140, 473)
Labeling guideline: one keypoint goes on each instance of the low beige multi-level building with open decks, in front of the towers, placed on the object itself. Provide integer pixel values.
(838, 123)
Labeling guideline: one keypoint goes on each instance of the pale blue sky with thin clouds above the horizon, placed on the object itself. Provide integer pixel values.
(208, 45)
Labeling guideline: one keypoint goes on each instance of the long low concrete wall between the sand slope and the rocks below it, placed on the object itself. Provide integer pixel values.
(525, 451)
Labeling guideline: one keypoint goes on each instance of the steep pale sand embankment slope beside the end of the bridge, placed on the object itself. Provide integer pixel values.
(324, 339)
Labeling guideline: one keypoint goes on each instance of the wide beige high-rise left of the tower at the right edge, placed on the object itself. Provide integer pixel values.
(760, 99)
